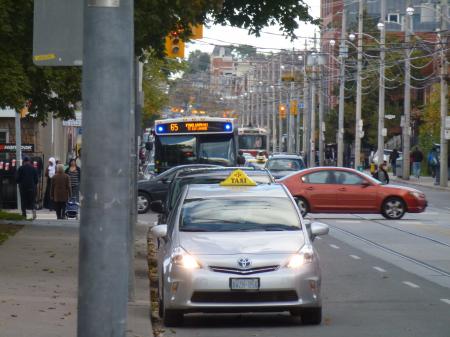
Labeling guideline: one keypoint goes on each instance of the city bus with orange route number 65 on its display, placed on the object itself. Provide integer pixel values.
(195, 140)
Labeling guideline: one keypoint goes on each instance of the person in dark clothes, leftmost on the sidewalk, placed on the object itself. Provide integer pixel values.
(27, 179)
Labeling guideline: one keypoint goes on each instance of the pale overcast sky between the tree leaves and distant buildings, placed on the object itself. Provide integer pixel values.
(271, 36)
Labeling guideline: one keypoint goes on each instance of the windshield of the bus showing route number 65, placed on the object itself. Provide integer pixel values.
(190, 149)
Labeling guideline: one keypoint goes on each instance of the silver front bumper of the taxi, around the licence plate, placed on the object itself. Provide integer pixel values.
(205, 290)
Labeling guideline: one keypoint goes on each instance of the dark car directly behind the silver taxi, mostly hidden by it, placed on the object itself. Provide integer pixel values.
(203, 176)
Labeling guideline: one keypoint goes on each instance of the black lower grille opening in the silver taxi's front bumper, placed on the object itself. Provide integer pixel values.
(243, 296)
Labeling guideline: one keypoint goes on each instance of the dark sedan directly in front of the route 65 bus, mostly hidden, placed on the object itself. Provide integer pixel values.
(156, 187)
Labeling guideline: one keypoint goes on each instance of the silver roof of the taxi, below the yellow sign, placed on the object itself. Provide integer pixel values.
(217, 191)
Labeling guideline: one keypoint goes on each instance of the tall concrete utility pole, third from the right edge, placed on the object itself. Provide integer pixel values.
(381, 88)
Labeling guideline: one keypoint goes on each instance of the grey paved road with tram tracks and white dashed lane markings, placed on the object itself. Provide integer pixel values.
(380, 278)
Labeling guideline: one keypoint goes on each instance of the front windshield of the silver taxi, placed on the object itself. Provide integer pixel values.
(239, 215)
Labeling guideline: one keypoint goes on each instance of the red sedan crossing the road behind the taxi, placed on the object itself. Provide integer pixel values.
(344, 190)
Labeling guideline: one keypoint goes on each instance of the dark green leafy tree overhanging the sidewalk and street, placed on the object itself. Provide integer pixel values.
(56, 90)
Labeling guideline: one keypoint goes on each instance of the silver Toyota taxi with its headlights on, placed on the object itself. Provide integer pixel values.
(238, 249)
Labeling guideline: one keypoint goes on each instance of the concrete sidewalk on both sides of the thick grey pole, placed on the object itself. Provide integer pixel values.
(38, 283)
